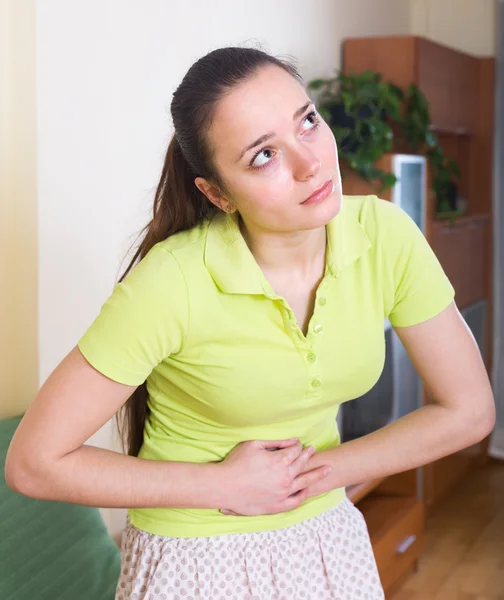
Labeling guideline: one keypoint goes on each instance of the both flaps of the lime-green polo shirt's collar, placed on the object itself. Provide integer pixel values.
(235, 270)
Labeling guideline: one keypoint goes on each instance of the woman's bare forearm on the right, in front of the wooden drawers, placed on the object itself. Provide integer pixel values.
(421, 437)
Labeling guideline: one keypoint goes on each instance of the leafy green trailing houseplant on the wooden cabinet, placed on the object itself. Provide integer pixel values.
(366, 114)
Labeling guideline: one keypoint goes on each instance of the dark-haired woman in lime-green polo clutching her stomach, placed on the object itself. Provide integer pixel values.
(256, 309)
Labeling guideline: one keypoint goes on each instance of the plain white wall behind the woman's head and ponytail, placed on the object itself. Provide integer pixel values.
(106, 73)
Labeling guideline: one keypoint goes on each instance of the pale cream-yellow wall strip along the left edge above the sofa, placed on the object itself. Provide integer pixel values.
(18, 208)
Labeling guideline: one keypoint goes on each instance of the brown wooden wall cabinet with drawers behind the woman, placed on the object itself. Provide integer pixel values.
(460, 91)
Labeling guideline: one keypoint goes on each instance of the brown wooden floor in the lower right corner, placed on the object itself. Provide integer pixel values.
(464, 551)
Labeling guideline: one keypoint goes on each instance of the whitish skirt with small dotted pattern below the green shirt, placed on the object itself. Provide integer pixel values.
(326, 557)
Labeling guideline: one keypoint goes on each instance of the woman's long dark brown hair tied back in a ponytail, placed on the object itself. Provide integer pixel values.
(178, 204)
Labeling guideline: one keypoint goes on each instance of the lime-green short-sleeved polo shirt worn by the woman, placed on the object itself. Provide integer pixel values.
(225, 361)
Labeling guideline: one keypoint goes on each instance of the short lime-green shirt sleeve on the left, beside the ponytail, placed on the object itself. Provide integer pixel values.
(143, 321)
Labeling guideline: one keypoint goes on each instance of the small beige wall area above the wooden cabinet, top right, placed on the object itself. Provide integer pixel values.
(467, 25)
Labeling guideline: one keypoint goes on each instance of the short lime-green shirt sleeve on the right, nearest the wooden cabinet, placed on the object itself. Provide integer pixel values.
(421, 289)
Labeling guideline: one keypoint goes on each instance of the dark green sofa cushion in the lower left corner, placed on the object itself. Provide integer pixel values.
(52, 550)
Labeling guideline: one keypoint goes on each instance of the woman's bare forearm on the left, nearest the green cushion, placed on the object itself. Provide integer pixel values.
(96, 477)
